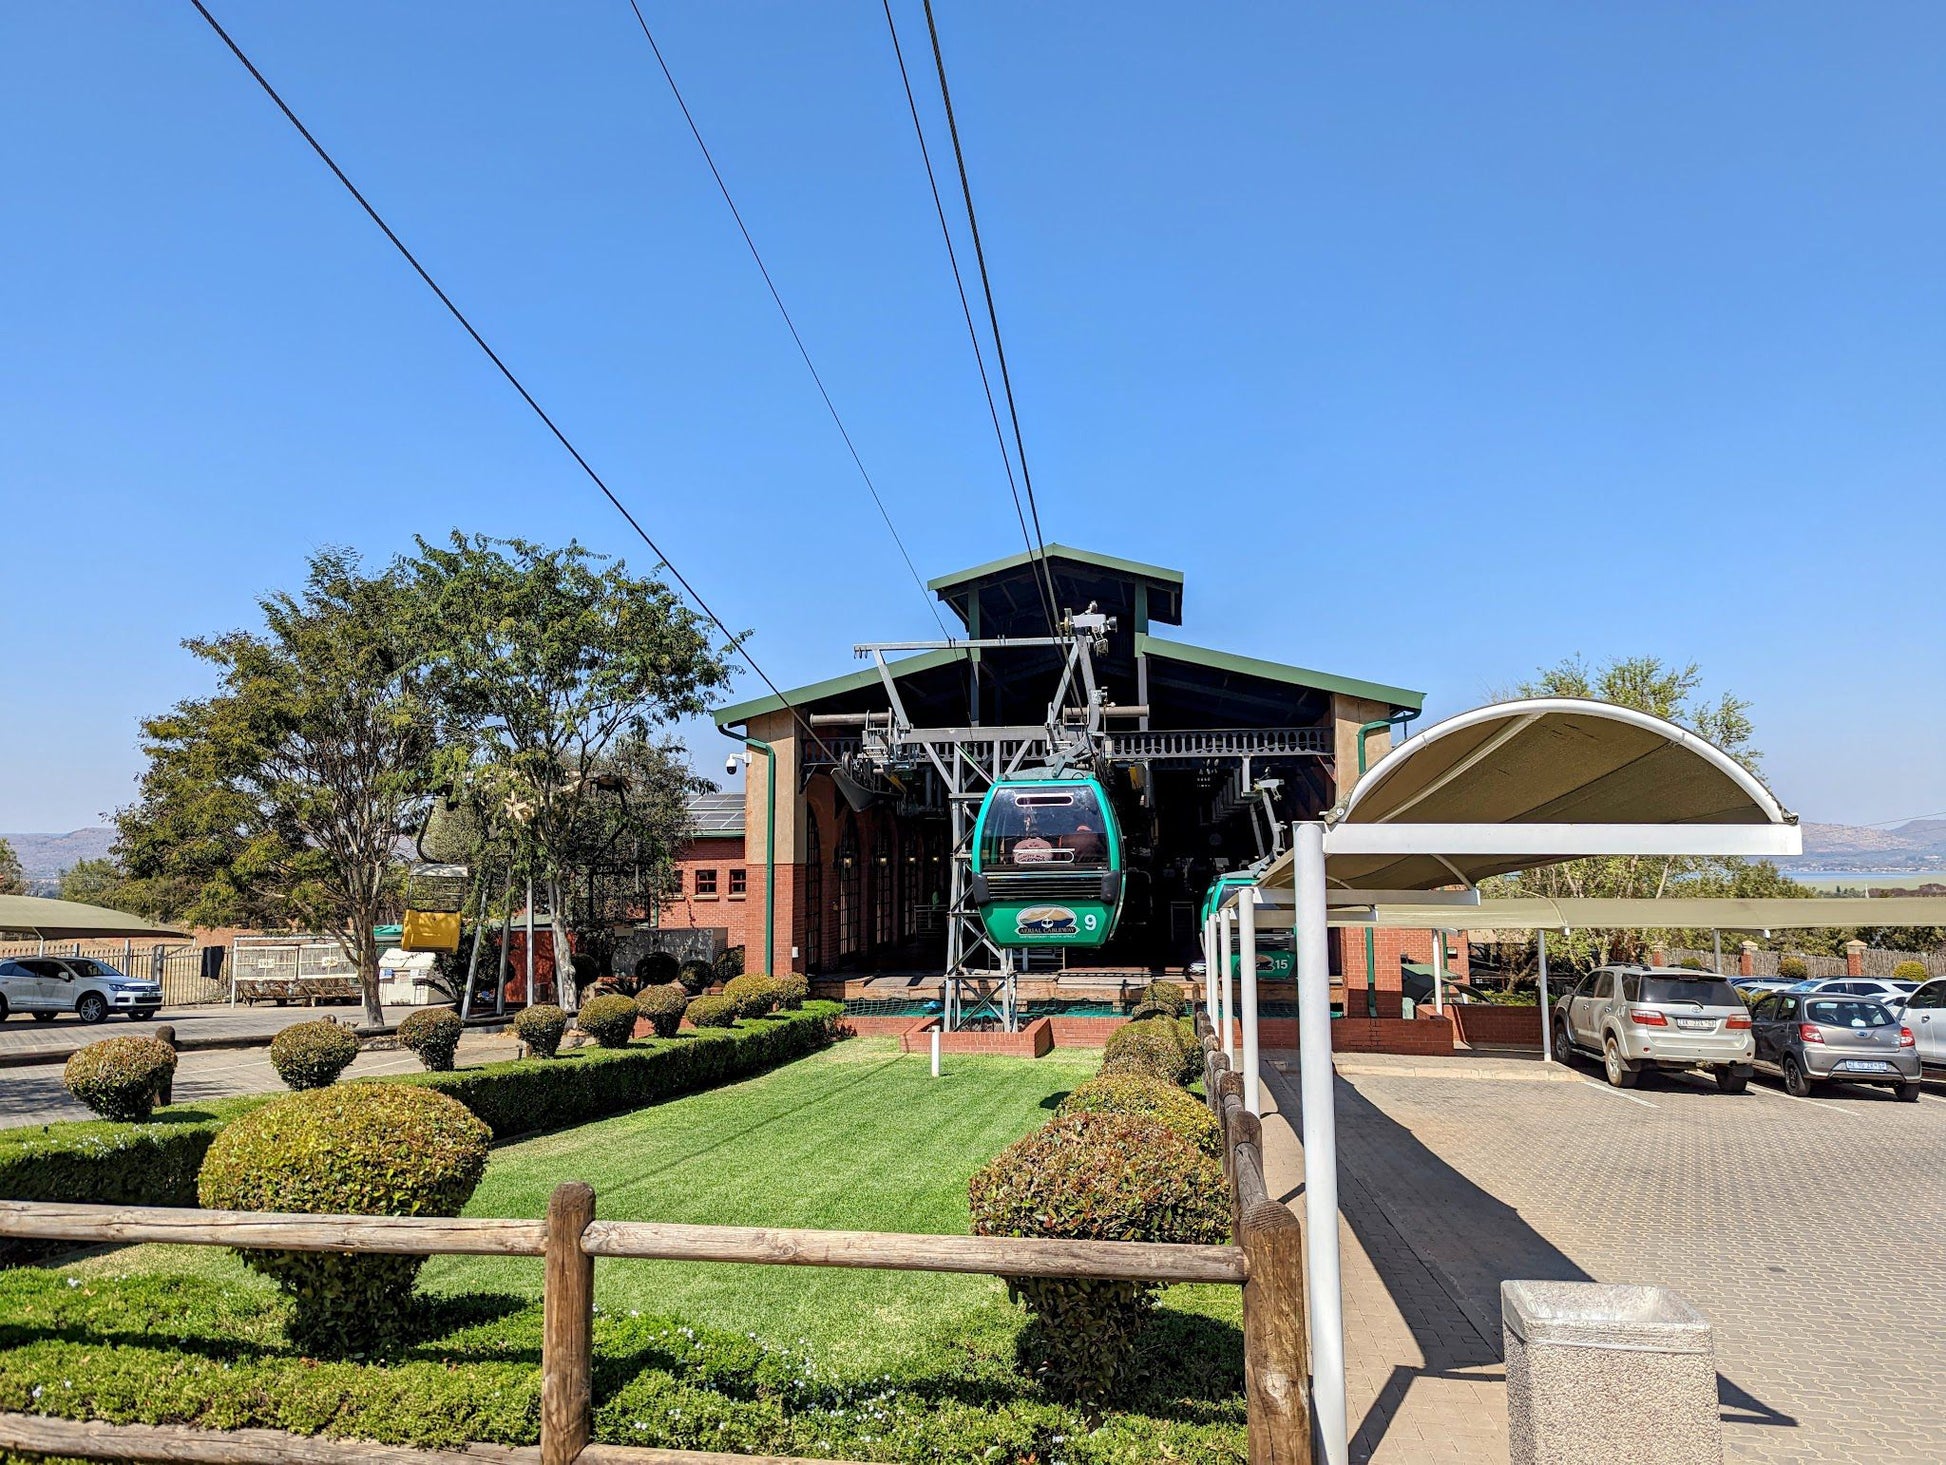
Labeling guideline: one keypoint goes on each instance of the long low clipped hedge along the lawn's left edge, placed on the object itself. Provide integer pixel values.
(521, 1098)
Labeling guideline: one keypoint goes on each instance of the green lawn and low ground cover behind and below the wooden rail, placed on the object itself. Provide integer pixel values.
(857, 1137)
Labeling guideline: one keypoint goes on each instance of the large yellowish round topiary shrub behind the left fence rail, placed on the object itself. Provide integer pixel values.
(359, 1151)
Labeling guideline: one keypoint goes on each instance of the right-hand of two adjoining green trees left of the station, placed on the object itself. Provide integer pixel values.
(546, 662)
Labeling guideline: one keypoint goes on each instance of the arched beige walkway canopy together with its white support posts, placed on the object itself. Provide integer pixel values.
(1505, 787)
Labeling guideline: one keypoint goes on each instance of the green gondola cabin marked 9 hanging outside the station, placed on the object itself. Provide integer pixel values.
(1048, 863)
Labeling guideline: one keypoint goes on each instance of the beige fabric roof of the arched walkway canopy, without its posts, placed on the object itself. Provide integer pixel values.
(1538, 762)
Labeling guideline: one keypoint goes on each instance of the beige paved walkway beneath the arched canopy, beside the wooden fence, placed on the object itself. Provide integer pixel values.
(1423, 1375)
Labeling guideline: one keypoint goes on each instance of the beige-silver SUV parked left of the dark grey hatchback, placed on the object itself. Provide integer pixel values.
(1638, 1018)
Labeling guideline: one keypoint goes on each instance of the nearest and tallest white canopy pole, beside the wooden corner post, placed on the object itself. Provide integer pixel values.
(1324, 1287)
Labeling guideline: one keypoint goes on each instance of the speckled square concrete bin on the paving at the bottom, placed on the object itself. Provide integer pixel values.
(1608, 1375)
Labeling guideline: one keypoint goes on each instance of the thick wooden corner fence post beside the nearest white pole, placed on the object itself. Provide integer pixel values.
(1276, 1363)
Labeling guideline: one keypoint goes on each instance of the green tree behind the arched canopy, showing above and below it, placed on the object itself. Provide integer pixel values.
(1673, 694)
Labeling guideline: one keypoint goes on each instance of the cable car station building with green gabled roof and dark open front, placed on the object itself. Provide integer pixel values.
(1204, 754)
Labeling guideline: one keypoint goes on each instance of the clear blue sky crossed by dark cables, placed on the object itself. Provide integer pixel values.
(1433, 343)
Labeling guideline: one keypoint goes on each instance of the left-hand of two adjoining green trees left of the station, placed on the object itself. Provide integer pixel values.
(281, 799)
